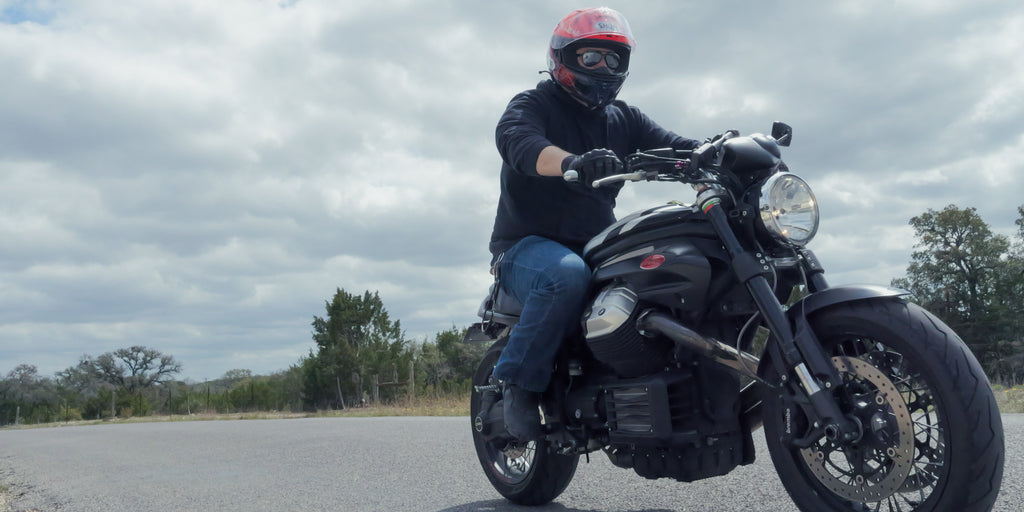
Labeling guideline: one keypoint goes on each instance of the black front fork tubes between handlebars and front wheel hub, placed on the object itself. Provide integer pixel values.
(797, 355)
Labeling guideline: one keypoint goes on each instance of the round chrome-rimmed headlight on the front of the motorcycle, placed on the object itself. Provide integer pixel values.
(789, 210)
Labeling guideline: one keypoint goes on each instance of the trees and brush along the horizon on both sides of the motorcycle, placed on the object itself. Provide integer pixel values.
(361, 363)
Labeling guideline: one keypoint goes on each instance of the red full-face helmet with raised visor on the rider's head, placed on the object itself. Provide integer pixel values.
(599, 28)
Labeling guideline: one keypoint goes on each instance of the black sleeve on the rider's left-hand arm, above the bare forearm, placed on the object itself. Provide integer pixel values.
(521, 134)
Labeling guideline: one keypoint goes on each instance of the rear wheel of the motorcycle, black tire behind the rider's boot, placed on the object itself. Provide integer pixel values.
(531, 475)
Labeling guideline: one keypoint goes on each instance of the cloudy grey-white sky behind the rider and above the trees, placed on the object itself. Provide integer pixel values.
(200, 177)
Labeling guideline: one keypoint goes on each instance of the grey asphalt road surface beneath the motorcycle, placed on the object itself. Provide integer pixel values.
(349, 464)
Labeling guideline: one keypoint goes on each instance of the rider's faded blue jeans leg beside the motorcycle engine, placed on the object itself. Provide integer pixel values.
(551, 283)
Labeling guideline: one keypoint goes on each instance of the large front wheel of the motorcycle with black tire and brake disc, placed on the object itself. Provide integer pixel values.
(932, 437)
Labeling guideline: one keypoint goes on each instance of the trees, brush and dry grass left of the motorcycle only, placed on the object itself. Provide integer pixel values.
(362, 366)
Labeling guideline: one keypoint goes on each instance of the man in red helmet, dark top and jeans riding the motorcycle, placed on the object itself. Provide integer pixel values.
(569, 122)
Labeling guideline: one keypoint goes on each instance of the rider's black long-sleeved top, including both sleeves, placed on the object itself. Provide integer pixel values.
(549, 207)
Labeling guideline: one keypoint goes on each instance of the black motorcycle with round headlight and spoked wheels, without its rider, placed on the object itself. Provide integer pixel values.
(709, 321)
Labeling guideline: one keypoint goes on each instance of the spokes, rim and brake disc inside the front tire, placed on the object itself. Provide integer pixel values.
(897, 465)
